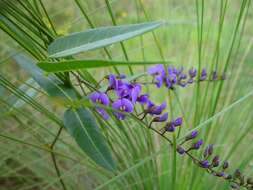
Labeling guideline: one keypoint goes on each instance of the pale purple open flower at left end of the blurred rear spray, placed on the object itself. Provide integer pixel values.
(158, 72)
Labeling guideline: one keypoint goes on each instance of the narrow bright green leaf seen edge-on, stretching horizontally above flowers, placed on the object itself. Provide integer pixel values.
(73, 65)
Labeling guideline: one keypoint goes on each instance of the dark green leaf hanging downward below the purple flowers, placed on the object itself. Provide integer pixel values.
(81, 124)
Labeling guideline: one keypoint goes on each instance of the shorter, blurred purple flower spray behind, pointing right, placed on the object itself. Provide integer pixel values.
(174, 76)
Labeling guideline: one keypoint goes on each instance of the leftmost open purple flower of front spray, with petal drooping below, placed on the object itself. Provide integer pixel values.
(100, 98)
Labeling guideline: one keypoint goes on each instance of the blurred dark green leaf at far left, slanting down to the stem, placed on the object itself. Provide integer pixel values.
(51, 84)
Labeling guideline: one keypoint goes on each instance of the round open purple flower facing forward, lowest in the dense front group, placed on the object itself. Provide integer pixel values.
(124, 105)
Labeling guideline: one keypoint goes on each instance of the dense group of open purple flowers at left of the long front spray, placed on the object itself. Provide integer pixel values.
(128, 95)
